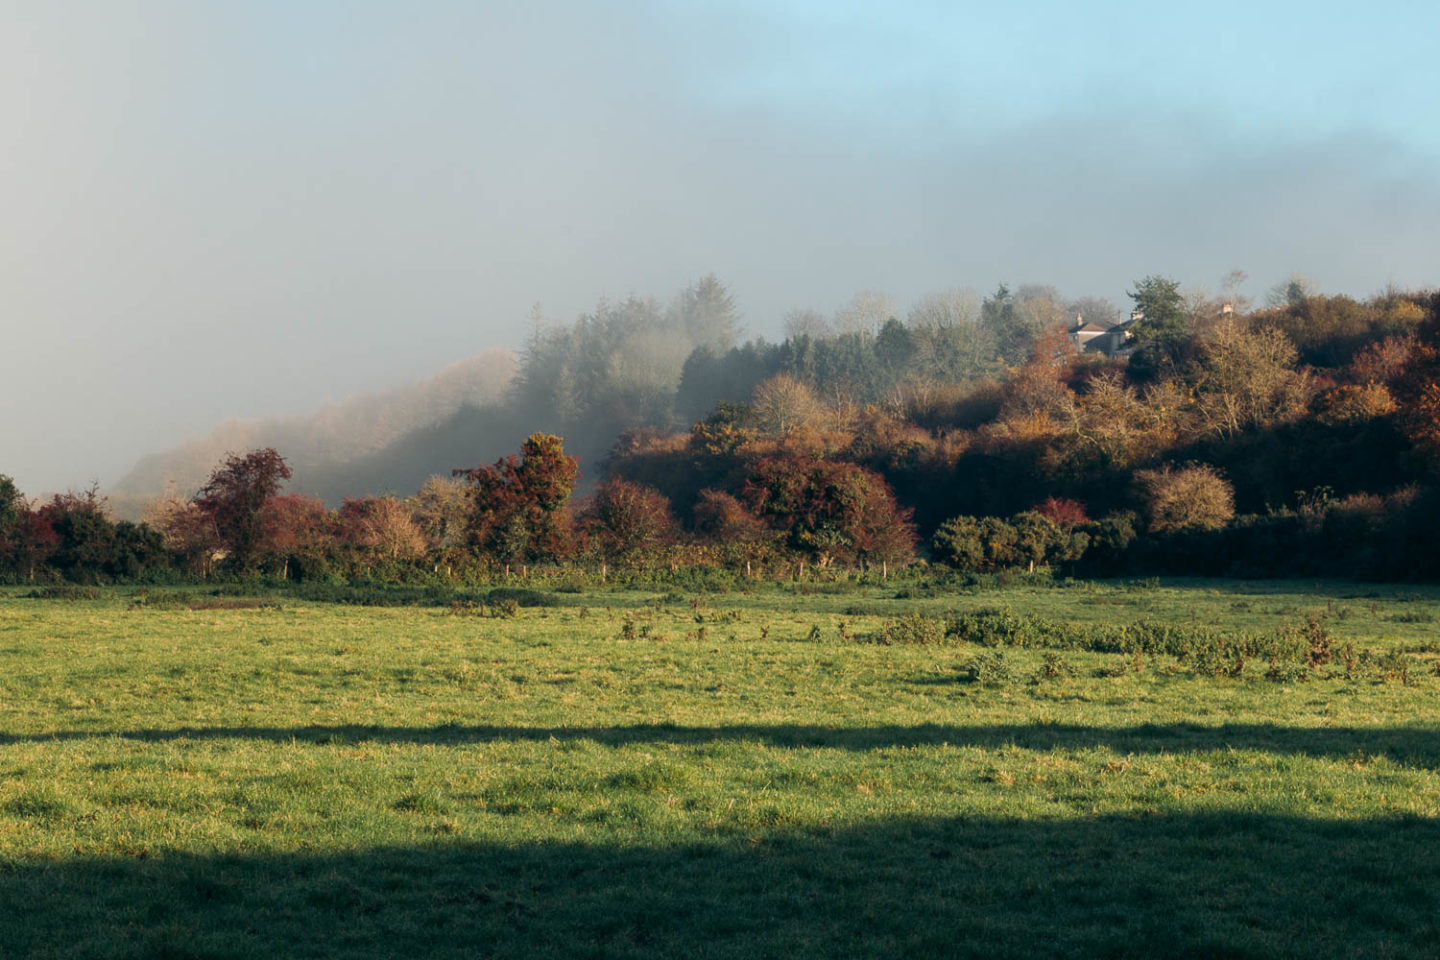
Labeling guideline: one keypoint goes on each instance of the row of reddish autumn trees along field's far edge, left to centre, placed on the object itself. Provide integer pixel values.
(483, 523)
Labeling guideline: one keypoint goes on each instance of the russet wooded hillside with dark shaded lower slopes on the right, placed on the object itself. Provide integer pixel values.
(1298, 440)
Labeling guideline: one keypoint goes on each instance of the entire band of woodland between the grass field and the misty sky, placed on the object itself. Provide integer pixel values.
(1210, 437)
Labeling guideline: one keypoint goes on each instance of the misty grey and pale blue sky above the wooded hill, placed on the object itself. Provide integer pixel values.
(248, 208)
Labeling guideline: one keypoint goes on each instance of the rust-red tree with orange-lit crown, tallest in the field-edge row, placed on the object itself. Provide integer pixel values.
(519, 503)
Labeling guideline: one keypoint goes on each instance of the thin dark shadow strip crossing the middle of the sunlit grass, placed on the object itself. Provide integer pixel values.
(1412, 746)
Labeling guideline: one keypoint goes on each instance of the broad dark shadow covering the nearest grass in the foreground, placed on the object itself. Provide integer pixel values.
(1169, 886)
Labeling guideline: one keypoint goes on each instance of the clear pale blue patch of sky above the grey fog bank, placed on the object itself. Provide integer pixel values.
(1272, 70)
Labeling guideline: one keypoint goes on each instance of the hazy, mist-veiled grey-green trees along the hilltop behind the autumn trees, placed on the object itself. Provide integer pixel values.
(643, 363)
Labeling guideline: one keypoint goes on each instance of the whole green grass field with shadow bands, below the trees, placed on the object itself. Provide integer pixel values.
(646, 775)
